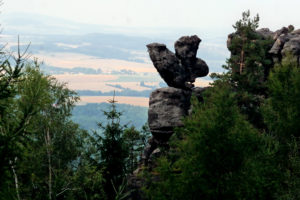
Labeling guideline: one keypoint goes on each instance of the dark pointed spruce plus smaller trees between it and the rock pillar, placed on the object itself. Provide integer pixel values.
(117, 150)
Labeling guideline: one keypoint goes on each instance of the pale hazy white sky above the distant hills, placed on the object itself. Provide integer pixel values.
(205, 14)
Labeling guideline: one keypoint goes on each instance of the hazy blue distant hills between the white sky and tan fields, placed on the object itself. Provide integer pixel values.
(51, 34)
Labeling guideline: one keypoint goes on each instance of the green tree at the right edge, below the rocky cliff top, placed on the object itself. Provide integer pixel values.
(281, 113)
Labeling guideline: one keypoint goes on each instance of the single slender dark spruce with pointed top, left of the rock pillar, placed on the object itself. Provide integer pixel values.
(112, 150)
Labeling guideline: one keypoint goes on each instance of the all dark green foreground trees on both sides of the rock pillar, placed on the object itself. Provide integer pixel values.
(240, 142)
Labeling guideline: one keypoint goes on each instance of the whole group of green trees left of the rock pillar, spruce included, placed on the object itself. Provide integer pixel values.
(44, 154)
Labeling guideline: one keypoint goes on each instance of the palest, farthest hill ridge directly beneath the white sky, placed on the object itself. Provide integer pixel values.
(150, 32)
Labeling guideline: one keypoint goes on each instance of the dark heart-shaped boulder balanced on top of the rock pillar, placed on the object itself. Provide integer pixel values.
(181, 69)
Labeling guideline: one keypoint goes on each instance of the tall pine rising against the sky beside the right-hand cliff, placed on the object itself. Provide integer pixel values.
(248, 66)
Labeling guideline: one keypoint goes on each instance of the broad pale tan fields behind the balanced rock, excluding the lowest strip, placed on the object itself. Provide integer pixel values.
(104, 82)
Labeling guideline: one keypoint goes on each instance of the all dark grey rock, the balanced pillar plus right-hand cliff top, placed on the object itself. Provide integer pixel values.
(167, 106)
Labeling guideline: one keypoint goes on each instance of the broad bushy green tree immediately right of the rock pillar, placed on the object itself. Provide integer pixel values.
(219, 155)
